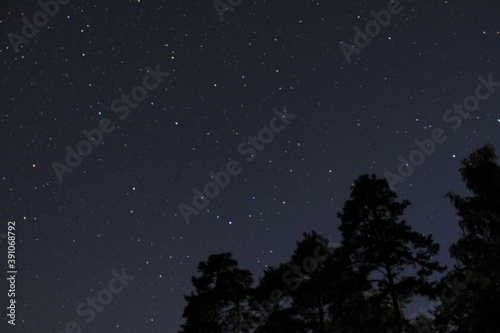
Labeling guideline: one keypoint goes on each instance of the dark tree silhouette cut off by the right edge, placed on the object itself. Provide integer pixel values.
(471, 291)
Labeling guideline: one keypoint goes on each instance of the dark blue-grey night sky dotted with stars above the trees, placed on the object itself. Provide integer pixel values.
(212, 84)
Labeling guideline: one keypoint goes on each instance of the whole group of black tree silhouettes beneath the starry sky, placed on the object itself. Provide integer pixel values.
(365, 283)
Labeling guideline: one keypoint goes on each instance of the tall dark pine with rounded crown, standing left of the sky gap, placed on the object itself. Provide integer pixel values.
(381, 244)
